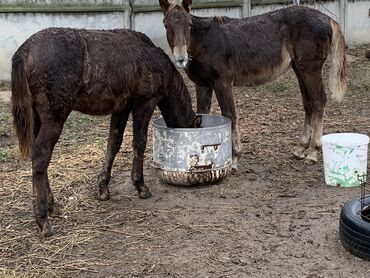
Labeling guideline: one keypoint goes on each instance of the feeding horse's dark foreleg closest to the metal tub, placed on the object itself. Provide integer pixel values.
(141, 117)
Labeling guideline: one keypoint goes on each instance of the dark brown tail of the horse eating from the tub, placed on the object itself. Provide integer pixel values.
(21, 102)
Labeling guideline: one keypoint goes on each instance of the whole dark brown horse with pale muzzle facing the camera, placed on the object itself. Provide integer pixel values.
(220, 52)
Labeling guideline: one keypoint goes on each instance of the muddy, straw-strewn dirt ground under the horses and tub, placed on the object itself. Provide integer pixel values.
(274, 218)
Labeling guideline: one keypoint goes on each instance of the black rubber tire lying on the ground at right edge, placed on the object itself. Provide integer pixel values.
(354, 231)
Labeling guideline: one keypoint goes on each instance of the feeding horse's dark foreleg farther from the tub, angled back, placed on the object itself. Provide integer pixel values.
(117, 128)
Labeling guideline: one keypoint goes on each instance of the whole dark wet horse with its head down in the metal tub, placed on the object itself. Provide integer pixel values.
(96, 72)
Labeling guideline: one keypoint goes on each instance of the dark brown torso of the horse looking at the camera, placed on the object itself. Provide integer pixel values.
(256, 50)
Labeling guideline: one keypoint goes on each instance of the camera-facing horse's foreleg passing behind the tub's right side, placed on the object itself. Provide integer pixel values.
(225, 98)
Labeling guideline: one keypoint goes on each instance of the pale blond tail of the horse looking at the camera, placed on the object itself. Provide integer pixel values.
(338, 70)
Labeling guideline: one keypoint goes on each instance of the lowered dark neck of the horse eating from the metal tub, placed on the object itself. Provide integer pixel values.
(176, 105)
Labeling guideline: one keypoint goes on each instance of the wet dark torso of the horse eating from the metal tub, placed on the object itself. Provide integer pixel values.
(94, 71)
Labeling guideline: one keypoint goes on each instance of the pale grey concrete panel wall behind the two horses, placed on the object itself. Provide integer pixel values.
(20, 19)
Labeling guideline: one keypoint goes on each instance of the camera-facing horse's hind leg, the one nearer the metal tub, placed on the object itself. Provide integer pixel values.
(305, 138)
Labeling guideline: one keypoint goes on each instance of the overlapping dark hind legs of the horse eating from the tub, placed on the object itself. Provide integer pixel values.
(41, 154)
